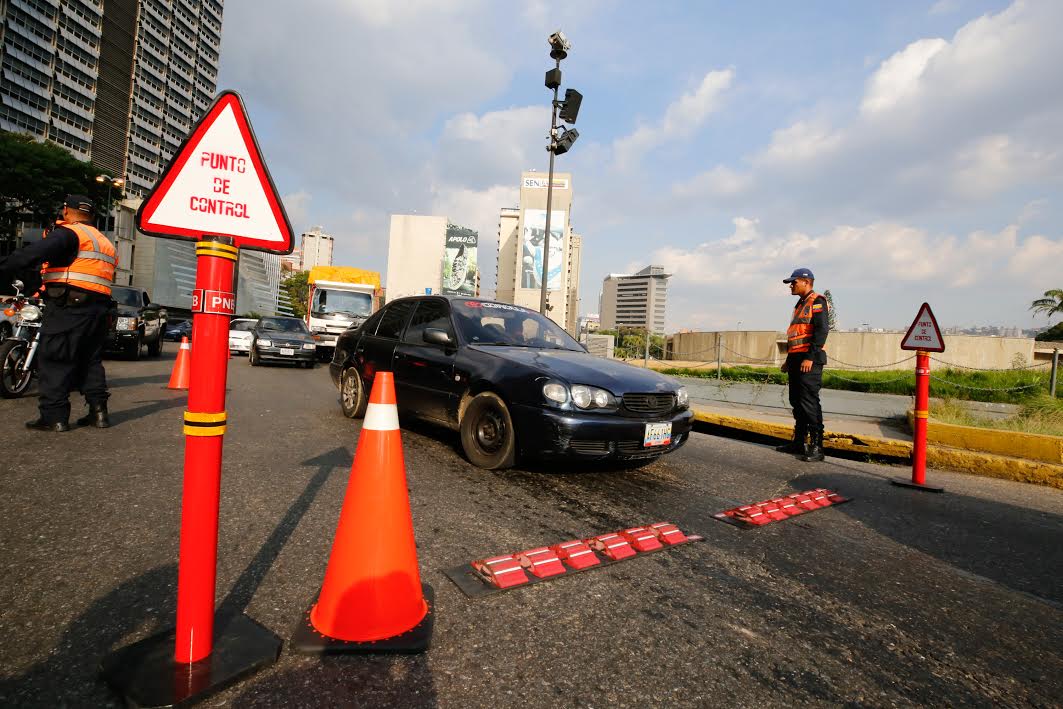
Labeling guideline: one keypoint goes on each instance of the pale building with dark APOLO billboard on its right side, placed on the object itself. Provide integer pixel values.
(431, 256)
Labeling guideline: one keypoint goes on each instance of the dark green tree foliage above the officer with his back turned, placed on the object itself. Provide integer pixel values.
(36, 177)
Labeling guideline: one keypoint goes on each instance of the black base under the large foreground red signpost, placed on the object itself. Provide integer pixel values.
(146, 676)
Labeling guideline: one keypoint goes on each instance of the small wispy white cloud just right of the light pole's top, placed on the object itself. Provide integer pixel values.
(682, 119)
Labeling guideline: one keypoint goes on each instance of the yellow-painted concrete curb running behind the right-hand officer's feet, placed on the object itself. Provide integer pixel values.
(938, 457)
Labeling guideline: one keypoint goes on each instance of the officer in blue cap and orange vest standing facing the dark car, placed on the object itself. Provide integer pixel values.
(805, 360)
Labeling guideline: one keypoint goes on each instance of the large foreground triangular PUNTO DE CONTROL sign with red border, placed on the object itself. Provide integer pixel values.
(217, 184)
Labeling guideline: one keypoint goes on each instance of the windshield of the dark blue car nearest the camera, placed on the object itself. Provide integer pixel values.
(483, 323)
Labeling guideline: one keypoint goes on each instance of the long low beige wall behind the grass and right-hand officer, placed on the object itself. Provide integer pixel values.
(850, 350)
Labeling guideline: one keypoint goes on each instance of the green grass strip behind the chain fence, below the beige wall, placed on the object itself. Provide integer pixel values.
(1005, 386)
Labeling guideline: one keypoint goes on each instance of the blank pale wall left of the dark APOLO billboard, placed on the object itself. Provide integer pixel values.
(415, 256)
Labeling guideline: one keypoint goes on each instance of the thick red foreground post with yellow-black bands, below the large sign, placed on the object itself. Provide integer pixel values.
(205, 430)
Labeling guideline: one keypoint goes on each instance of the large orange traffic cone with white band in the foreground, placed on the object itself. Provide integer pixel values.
(373, 599)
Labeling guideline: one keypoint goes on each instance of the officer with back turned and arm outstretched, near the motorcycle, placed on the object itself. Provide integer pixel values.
(79, 267)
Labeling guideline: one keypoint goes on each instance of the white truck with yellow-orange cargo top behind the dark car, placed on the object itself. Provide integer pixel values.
(340, 297)
